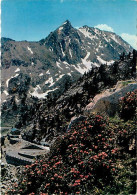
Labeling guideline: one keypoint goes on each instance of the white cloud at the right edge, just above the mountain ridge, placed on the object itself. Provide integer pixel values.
(131, 39)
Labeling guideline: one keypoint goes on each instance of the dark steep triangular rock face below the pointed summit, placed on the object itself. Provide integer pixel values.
(66, 43)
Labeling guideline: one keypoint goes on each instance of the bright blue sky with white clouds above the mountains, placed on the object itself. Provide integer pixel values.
(33, 20)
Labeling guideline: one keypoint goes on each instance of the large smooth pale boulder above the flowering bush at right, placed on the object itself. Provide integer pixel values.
(107, 103)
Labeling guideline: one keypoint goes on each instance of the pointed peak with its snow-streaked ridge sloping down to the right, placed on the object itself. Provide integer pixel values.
(86, 45)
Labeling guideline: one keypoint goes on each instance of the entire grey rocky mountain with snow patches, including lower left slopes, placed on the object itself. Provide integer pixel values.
(52, 64)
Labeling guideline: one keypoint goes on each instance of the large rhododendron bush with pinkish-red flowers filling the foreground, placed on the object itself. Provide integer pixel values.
(81, 161)
